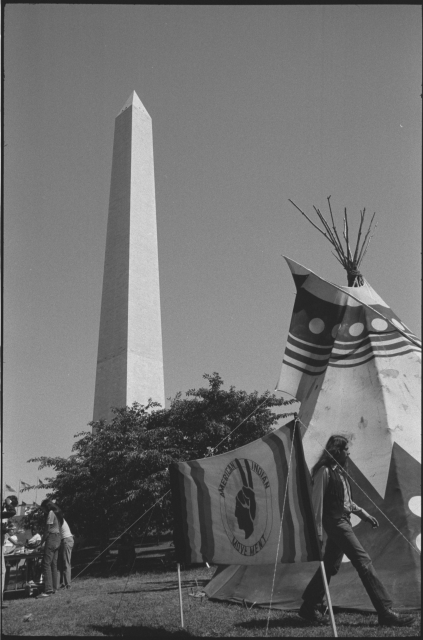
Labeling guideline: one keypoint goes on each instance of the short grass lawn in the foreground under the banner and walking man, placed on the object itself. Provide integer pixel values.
(146, 605)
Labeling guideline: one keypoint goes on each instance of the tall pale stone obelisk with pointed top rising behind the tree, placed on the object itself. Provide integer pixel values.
(130, 354)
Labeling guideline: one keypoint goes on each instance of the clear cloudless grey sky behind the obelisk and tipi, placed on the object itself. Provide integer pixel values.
(251, 105)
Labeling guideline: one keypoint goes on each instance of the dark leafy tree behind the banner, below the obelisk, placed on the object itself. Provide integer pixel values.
(119, 470)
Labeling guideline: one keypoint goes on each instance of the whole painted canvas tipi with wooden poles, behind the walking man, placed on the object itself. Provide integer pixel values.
(356, 369)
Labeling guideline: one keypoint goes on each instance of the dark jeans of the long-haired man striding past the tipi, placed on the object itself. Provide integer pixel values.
(342, 540)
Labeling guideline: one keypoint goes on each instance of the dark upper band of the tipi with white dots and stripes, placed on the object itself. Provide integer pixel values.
(331, 327)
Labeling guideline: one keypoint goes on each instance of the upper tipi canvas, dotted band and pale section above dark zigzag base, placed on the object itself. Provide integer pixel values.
(355, 368)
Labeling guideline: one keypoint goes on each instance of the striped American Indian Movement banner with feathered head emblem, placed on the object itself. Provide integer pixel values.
(228, 508)
